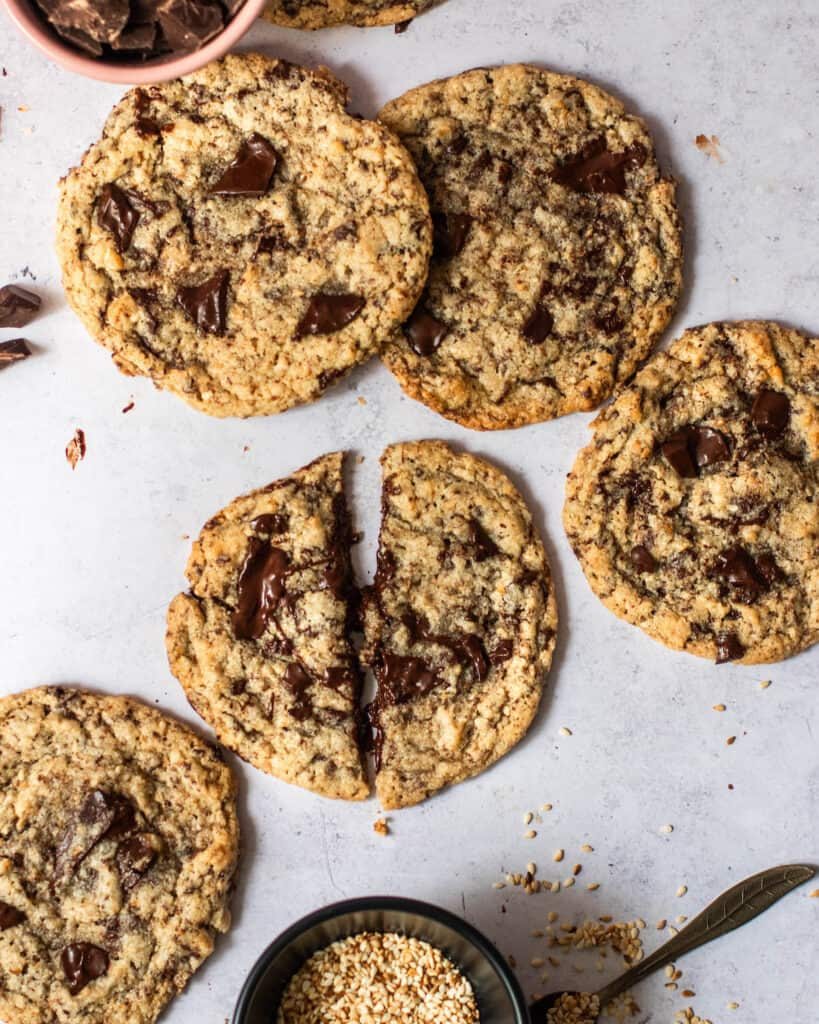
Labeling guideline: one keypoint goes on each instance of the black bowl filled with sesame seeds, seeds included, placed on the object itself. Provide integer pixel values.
(381, 961)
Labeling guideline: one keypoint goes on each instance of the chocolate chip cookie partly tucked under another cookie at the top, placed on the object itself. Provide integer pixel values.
(557, 259)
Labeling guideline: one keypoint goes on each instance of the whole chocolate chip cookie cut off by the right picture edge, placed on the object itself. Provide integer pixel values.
(696, 510)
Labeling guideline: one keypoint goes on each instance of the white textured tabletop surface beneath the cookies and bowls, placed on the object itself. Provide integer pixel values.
(90, 560)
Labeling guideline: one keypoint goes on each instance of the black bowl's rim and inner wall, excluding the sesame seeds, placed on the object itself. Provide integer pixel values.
(497, 991)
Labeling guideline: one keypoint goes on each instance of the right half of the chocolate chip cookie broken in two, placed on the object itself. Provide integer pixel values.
(460, 624)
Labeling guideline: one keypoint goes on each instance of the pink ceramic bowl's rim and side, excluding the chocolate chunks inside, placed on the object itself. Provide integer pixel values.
(30, 22)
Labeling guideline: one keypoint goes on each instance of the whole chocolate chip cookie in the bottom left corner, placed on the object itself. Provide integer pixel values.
(118, 846)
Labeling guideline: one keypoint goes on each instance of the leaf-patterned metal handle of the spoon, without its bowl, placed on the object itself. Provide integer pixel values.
(737, 907)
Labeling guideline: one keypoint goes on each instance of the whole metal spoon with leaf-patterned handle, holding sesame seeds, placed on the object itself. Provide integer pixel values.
(739, 906)
